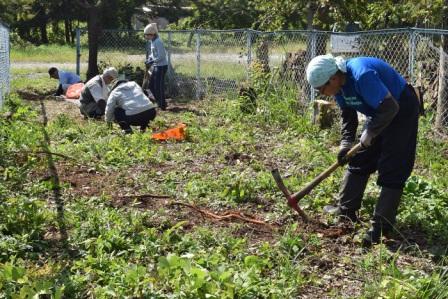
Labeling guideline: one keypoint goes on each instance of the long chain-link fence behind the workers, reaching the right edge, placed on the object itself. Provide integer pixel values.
(216, 62)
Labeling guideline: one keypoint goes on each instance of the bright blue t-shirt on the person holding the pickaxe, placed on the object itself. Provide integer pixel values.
(368, 80)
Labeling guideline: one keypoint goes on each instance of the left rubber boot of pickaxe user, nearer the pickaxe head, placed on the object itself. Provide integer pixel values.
(350, 196)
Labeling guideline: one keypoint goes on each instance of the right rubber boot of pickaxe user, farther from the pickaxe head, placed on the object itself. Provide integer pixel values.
(384, 215)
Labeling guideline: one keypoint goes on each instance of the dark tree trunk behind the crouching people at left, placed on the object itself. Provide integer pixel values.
(94, 28)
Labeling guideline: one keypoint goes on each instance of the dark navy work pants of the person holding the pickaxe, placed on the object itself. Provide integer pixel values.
(393, 151)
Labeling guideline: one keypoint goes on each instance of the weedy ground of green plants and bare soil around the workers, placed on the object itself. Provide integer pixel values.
(147, 248)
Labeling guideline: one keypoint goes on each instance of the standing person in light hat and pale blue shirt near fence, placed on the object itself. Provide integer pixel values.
(156, 61)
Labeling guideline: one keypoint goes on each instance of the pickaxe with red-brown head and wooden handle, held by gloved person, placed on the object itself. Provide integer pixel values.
(293, 199)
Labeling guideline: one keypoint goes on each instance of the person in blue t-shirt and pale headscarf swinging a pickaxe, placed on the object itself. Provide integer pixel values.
(372, 87)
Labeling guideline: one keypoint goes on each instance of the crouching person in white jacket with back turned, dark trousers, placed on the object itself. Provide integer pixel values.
(128, 106)
